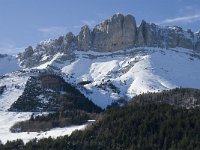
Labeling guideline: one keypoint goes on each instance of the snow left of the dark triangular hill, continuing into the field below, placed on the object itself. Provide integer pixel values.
(14, 84)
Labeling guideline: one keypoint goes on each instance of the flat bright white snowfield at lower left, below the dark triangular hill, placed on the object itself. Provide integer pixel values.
(8, 119)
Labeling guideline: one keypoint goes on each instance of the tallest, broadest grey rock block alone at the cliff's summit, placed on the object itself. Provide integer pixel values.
(118, 32)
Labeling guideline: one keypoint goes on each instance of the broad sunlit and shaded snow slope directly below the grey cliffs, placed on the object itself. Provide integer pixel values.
(123, 74)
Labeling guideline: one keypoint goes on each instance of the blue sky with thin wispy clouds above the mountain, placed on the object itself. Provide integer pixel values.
(27, 22)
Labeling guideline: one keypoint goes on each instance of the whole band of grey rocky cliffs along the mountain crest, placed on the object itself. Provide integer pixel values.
(116, 33)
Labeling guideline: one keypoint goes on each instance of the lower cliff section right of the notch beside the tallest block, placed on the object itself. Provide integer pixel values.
(151, 35)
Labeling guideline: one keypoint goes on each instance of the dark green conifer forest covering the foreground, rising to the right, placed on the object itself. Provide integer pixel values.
(137, 125)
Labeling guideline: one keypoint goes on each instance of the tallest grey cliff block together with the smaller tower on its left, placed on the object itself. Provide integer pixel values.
(118, 32)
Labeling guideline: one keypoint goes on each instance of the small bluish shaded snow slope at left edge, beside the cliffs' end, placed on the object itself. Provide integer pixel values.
(8, 64)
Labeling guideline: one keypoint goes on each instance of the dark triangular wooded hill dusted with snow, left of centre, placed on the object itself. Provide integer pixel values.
(48, 93)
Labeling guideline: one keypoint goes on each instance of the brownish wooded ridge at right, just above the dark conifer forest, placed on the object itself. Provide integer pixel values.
(182, 97)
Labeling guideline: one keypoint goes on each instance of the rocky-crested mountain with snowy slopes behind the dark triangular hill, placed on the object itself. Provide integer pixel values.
(148, 58)
